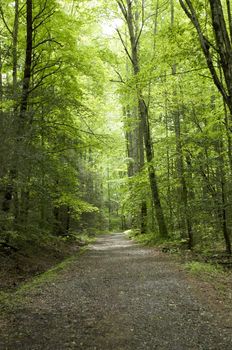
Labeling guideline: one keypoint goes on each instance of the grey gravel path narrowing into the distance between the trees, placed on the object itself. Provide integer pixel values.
(119, 295)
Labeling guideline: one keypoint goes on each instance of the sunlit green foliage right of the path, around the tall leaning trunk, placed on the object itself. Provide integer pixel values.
(190, 128)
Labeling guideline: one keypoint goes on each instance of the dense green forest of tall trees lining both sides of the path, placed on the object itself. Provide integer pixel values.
(116, 115)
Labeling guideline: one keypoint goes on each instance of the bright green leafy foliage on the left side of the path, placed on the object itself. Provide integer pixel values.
(48, 179)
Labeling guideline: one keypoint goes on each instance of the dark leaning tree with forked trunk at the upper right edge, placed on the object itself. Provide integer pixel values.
(220, 69)
